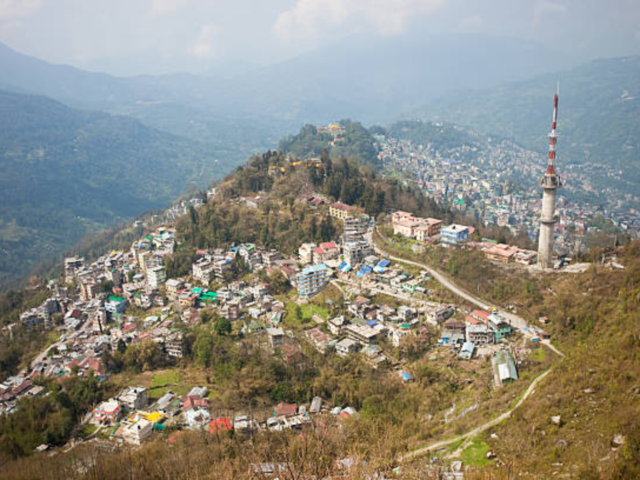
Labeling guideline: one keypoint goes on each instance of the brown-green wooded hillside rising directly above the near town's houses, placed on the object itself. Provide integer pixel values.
(283, 219)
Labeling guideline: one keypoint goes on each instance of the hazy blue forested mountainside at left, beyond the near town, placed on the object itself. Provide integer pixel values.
(65, 172)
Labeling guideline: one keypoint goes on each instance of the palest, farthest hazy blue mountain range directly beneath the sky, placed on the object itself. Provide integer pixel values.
(368, 79)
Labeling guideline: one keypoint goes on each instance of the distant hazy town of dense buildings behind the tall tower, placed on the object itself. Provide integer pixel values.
(478, 180)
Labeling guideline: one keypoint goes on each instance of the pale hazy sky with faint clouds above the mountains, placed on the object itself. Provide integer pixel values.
(162, 36)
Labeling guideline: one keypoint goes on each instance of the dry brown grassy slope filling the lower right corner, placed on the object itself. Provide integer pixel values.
(595, 391)
